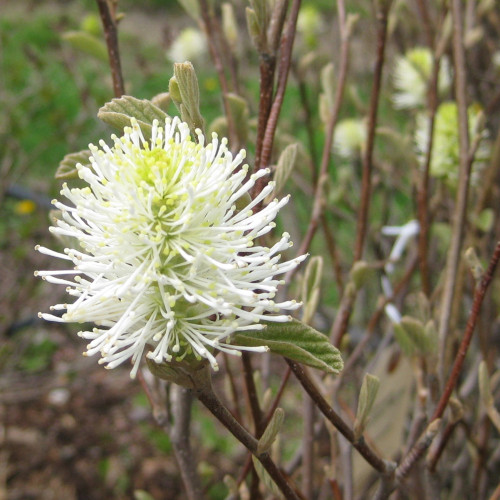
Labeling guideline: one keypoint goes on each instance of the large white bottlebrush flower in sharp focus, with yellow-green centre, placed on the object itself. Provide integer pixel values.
(163, 261)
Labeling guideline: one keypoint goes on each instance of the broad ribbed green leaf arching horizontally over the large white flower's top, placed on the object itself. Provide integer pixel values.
(118, 113)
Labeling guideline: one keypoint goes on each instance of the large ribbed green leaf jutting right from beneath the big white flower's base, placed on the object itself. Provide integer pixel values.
(296, 341)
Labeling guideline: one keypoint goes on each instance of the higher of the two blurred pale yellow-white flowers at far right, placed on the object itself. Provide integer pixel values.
(412, 73)
